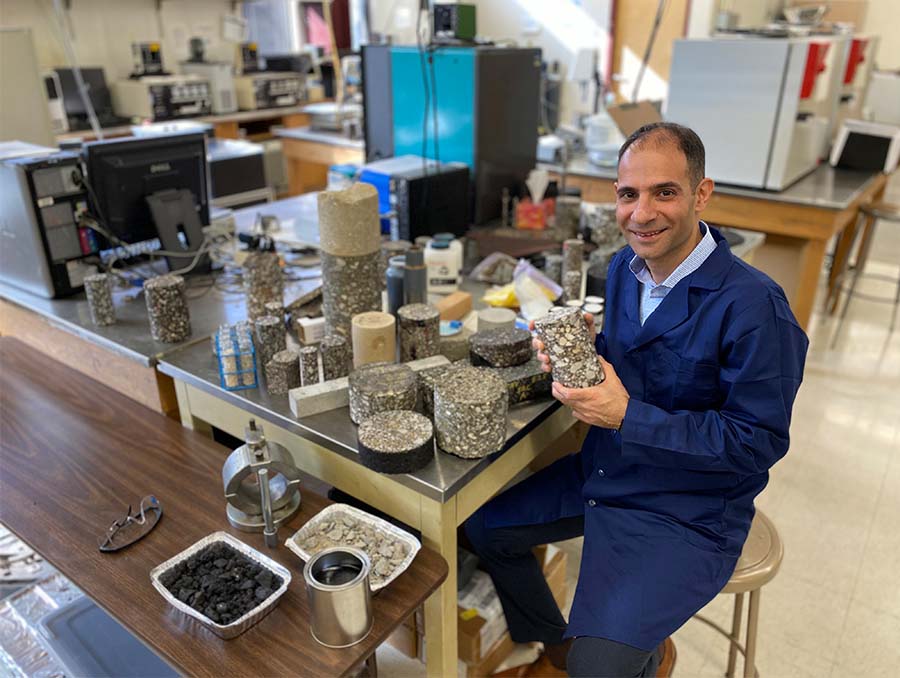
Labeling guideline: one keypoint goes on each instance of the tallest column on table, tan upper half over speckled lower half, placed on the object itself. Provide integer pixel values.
(350, 248)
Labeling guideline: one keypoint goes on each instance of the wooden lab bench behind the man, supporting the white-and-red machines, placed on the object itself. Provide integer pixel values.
(798, 222)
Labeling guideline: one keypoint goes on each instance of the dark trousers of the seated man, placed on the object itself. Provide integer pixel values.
(531, 611)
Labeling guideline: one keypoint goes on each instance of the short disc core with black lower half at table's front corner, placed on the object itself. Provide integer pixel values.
(399, 441)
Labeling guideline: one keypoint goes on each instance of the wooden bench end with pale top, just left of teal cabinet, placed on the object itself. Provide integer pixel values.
(308, 154)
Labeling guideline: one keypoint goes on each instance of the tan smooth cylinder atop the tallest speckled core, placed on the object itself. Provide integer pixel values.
(348, 221)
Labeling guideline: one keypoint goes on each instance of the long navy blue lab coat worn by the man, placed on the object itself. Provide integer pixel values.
(668, 500)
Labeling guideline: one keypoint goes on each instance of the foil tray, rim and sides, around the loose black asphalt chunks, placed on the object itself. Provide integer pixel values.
(241, 624)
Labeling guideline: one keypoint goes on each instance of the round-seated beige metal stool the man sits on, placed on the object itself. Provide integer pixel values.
(757, 566)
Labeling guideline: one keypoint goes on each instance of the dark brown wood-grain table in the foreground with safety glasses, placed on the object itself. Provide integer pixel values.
(73, 454)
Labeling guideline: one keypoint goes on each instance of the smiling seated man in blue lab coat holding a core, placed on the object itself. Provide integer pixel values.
(703, 359)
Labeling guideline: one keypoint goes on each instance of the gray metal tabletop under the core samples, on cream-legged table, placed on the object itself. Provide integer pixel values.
(333, 430)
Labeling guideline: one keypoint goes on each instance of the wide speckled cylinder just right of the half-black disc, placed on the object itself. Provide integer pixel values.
(470, 408)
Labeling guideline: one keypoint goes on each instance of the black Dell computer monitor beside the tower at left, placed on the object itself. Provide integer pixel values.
(151, 187)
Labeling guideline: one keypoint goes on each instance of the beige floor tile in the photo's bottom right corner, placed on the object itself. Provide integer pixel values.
(869, 645)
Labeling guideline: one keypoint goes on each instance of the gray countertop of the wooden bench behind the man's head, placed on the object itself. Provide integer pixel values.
(826, 186)
